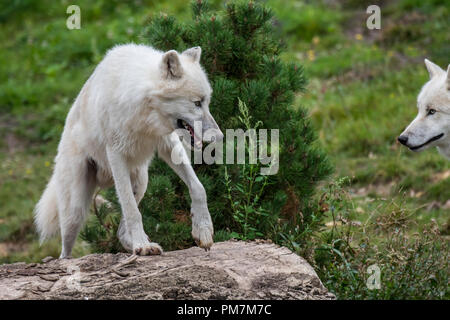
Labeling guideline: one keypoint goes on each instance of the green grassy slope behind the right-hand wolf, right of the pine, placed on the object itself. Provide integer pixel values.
(363, 88)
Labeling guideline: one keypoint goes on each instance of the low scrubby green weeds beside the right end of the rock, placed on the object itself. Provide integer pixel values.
(411, 265)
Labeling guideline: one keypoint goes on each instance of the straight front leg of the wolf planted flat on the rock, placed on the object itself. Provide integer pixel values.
(132, 218)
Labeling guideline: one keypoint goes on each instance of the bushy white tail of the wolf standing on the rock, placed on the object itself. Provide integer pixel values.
(46, 212)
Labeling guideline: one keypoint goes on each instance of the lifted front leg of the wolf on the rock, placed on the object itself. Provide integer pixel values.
(202, 228)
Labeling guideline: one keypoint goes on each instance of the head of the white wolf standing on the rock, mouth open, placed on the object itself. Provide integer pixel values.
(185, 94)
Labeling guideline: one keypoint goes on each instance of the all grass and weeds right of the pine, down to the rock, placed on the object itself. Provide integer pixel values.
(362, 93)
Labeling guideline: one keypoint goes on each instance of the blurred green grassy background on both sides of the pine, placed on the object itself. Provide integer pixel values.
(361, 94)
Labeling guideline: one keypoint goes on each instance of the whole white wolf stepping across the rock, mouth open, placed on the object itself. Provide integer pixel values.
(127, 111)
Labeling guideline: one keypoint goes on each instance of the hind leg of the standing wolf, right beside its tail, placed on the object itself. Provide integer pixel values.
(77, 183)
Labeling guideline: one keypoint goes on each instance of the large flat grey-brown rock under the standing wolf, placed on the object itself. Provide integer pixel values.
(230, 270)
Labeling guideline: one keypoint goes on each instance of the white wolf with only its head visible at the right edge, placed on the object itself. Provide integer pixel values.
(431, 127)
